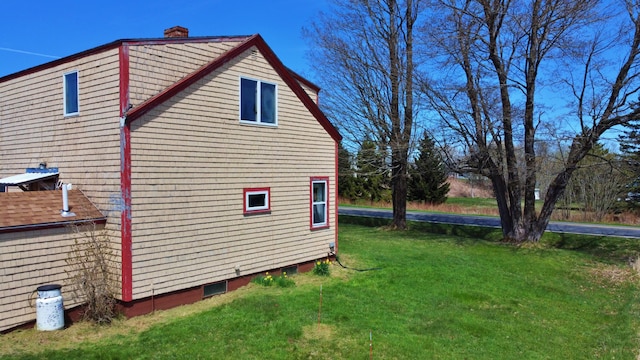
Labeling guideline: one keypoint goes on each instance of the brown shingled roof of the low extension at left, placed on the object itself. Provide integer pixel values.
(30, 210)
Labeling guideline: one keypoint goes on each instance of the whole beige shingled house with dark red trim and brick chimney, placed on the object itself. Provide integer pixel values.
(205, 158)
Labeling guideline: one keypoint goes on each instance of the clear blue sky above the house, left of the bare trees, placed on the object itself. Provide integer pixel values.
(34, 32)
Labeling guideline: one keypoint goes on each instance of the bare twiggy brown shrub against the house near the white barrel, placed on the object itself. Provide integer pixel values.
(91, 272)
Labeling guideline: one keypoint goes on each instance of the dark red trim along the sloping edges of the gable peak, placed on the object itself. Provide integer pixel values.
(290, 78)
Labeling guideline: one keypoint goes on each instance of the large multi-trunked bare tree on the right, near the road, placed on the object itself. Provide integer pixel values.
(508, 55)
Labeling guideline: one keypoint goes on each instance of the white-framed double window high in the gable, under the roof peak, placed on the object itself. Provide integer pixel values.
(258, 102)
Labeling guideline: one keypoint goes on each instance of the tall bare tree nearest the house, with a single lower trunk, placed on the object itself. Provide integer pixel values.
(363, 54)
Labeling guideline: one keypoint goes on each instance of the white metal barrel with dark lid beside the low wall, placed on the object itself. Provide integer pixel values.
(49, 308)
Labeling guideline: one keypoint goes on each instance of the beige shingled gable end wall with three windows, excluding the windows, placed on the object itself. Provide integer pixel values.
(191, 160)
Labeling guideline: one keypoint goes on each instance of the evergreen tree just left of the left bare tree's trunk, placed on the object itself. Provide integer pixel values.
(371, 168)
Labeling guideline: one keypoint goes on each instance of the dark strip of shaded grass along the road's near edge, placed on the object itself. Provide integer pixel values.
(611, 249)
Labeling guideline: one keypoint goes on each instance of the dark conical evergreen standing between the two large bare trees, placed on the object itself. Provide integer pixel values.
(427, 175)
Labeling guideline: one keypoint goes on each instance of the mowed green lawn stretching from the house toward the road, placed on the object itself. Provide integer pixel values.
(434, 297)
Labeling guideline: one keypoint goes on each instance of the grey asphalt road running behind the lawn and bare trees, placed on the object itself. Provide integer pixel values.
(489, 221)
